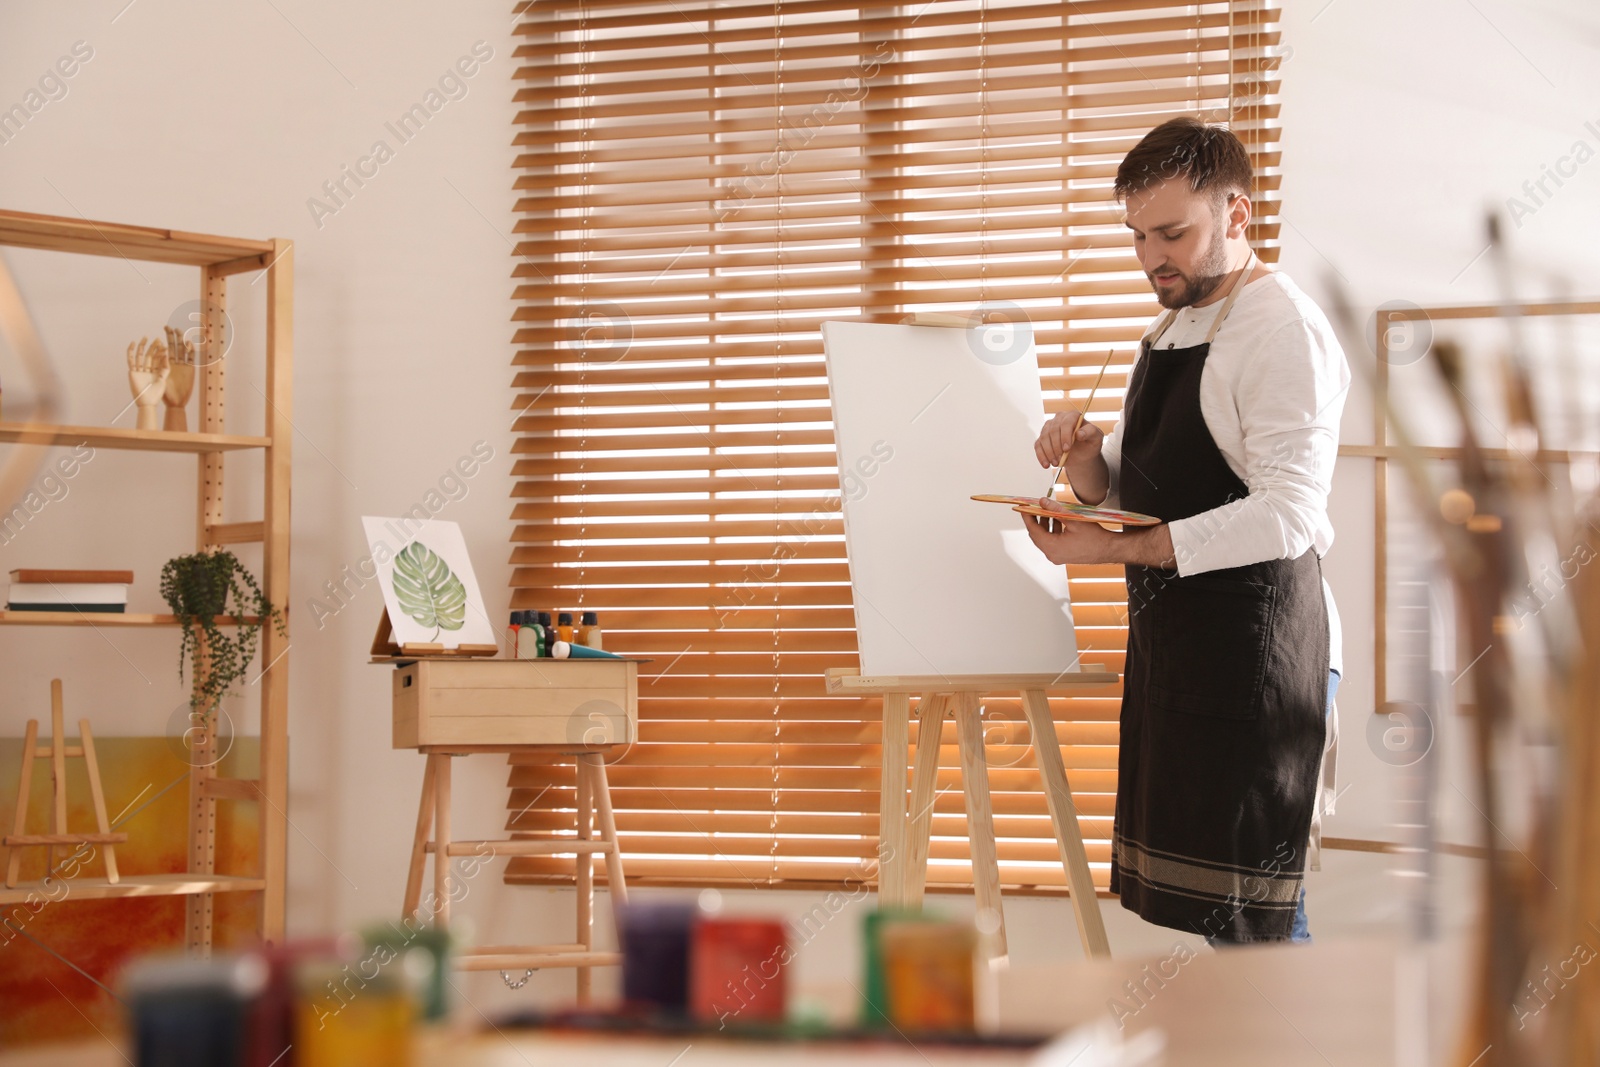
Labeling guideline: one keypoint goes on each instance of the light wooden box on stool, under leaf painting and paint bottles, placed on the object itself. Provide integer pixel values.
(516, 703)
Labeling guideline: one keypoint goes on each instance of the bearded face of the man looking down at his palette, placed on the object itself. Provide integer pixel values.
(1180, 238)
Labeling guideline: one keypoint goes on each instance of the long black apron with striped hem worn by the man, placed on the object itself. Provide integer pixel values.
(1225, 689)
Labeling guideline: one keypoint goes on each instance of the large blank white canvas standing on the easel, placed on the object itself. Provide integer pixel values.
(927, 417)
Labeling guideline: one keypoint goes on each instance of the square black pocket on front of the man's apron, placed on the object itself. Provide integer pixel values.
(1210, 650)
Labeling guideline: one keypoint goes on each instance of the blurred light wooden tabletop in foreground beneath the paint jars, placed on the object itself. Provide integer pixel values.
(1353, 1004)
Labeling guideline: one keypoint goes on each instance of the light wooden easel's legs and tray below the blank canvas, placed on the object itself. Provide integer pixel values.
(905, 837)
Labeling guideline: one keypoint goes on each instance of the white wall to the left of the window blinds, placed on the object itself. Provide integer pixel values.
(228, 121)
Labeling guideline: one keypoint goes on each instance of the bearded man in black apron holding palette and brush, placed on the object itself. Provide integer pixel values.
(1230, 436)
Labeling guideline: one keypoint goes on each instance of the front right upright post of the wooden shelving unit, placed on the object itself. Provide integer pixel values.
(276, 585)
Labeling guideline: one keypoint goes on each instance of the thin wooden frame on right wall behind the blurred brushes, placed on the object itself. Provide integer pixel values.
(1382, 452)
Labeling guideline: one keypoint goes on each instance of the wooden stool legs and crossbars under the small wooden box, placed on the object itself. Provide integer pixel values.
(594, 797)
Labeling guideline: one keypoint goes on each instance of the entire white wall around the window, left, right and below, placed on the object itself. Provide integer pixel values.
(1402, 122)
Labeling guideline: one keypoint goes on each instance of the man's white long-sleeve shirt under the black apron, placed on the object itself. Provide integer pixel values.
(1271, 394)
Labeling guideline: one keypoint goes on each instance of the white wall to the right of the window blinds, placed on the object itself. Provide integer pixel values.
(1404, 124)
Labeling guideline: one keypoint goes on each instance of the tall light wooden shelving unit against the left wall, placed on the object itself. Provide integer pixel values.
(217, 260)
